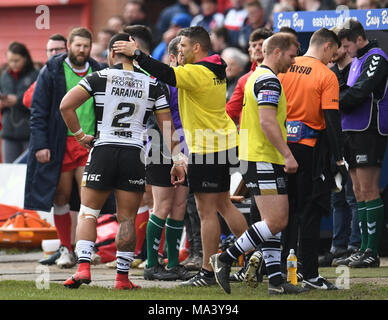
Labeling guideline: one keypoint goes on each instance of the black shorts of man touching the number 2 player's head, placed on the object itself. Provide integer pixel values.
(210, 173)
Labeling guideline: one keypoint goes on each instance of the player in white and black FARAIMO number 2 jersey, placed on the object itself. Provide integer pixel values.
(124, 97)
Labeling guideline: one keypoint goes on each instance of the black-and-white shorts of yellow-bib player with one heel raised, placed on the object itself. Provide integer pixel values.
(264, 178)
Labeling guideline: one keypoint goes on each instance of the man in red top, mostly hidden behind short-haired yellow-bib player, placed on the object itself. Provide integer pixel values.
(256, 39)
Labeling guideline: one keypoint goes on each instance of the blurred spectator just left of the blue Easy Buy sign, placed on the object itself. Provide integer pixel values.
(255, 19)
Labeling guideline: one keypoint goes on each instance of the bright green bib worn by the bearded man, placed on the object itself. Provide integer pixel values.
(85, 112)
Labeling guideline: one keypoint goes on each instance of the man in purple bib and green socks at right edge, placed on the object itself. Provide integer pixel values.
(365, 133)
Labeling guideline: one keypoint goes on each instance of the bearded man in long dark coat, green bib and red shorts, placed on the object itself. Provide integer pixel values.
(55, 156)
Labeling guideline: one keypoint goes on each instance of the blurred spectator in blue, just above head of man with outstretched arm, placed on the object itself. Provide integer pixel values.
(180, 6)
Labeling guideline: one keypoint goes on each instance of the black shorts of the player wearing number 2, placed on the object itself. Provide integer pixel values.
(112, 167)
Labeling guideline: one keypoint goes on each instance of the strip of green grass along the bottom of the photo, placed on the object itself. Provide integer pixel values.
(364, 284)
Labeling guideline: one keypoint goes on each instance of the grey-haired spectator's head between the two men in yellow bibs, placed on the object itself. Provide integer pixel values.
(236, 62)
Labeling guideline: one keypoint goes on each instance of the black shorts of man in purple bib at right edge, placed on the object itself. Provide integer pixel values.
(364, 149)
